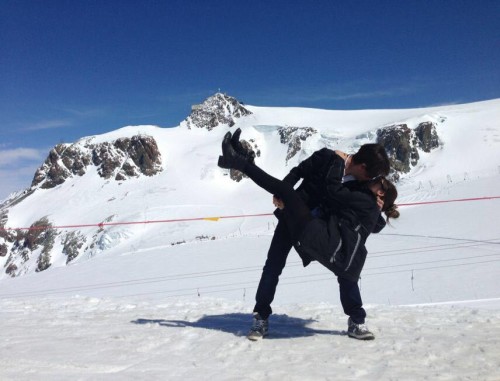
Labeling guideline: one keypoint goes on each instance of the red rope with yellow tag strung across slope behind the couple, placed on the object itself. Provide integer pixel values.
(103, 224)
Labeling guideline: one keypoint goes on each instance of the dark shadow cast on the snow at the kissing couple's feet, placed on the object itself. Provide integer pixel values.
(281, 326)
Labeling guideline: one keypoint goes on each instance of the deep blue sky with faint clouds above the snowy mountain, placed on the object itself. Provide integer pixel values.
(73, 68)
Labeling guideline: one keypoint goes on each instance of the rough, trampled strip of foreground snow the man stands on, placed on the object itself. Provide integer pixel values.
(88, 338)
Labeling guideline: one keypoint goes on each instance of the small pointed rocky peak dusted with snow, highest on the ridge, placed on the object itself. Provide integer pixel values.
(217, 109)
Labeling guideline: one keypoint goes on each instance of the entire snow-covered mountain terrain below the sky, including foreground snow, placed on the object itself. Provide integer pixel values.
(128, 275)
